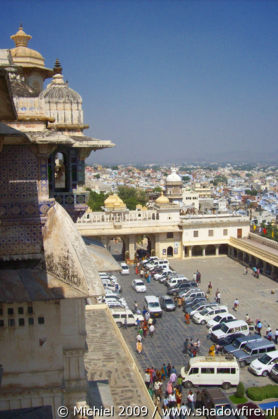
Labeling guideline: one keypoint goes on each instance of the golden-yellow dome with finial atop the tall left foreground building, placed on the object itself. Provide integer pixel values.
(21, 54)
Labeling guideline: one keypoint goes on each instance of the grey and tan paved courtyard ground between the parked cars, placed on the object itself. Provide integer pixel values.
(166, 346)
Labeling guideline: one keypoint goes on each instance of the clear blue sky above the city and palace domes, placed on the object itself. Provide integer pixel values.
(167, 81)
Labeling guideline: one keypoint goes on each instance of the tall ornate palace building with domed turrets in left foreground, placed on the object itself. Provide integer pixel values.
(46, 272)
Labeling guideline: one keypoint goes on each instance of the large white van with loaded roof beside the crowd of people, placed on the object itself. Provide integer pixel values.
(211, 370)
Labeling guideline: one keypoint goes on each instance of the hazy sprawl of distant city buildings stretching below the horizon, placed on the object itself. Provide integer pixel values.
(243, 188)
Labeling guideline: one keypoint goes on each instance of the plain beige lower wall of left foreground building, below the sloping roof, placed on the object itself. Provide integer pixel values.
(48, 355)
